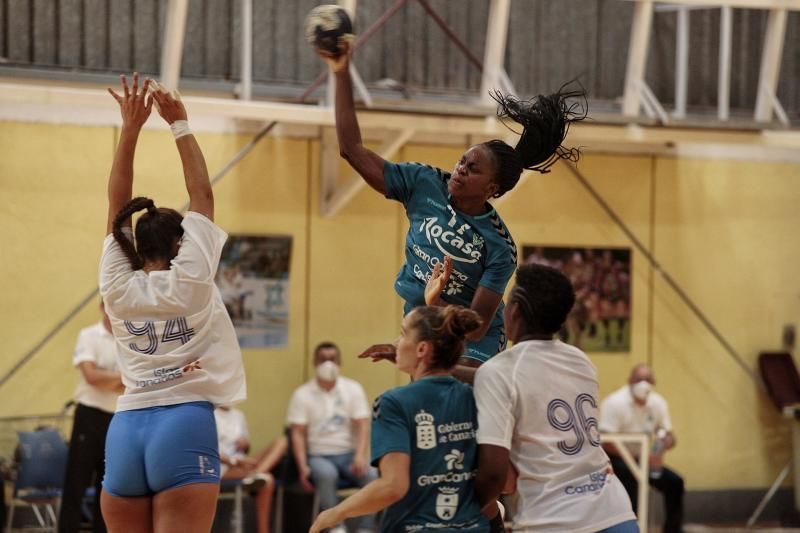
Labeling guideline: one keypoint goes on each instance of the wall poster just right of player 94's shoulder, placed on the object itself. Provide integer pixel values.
(253, 278)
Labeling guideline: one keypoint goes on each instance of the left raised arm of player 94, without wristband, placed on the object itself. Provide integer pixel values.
(135, 107)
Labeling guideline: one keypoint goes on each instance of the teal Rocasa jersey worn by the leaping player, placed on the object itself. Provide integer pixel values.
(483, 252)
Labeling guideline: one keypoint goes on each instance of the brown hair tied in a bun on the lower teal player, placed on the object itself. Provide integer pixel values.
(445, 328)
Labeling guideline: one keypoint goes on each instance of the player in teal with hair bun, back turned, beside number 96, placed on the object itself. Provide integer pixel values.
(423, 435)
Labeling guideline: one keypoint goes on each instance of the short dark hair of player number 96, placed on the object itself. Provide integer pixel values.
(544, 296)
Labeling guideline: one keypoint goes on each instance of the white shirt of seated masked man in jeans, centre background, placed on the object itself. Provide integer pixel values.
(329, 415)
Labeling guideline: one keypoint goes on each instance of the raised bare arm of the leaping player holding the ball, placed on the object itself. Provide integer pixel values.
(363, 160)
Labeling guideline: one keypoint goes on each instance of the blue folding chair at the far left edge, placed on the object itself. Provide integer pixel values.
(41, 461)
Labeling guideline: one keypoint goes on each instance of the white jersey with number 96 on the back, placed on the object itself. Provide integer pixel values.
(538, 400)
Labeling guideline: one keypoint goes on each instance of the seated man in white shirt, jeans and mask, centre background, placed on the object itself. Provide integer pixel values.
(329, 418)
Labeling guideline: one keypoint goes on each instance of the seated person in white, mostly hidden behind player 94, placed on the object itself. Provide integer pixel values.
(254, 471)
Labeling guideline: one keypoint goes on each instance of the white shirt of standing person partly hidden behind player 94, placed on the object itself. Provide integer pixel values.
(96, 345)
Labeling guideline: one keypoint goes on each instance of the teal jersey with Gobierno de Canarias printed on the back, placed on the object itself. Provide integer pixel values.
(433, 421)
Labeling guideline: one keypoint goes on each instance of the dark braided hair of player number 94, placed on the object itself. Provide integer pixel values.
(156, 232)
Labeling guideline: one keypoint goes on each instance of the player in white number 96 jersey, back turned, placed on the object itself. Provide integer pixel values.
(537, 412)
